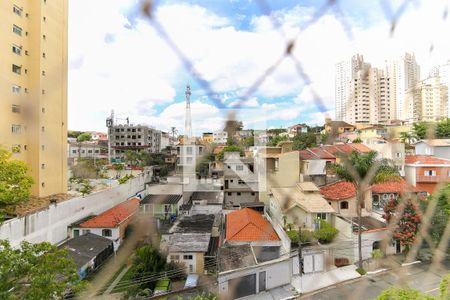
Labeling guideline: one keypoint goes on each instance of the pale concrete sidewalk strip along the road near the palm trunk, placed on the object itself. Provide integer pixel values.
(309, 283)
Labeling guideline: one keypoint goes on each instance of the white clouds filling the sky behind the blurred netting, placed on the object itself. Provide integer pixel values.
(130, 69)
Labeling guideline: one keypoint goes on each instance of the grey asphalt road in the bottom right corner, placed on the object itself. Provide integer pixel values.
(418, 276)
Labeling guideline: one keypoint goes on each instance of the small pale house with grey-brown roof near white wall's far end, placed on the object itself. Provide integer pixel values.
(162, 206)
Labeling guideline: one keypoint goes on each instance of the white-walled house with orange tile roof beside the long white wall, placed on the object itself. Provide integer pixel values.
(110, 224)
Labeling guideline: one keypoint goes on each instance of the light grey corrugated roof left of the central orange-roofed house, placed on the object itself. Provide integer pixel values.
(189, 242)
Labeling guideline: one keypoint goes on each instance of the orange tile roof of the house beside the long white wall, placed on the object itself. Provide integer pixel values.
(113, 216)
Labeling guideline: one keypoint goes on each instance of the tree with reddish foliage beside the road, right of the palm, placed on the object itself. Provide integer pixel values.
(407, 224)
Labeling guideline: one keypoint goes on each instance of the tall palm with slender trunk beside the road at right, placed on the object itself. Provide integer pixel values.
(363, 170)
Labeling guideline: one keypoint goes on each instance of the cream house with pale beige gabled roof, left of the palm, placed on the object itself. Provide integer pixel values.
(301, 205)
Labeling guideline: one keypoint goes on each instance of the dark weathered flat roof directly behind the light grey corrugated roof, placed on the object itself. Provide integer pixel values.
(193, 224)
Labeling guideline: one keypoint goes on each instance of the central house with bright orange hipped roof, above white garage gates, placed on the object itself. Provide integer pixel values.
(246, 226)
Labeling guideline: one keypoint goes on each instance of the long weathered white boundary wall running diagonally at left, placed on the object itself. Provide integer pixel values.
(50, 224)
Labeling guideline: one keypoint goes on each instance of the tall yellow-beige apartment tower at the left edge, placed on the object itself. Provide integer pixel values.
(33, 89)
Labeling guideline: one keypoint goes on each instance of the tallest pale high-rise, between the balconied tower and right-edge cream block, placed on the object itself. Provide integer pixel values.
(403, 72)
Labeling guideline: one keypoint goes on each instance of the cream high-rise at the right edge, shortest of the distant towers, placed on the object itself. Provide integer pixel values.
(426, 101)
